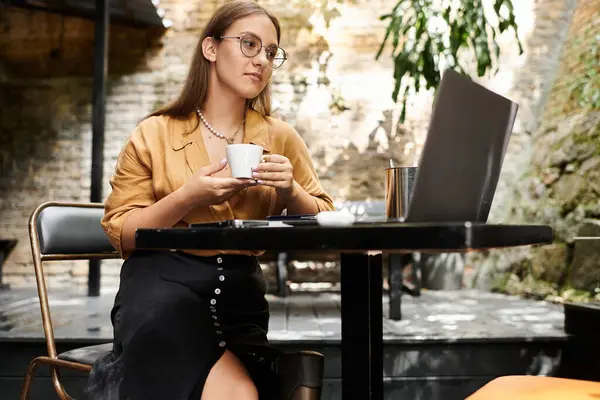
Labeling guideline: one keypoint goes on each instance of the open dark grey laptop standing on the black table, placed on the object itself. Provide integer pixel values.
(460, 164)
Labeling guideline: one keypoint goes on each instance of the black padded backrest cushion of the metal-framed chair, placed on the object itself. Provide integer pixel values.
(72, 230)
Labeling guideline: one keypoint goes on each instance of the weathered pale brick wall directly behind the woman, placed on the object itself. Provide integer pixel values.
(332, 90)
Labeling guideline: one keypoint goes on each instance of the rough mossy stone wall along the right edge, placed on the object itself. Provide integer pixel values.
(560, 187)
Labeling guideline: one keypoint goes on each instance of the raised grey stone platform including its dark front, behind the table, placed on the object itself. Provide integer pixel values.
(447, 345)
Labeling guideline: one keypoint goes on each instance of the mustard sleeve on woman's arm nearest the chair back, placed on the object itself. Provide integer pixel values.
(132, 188)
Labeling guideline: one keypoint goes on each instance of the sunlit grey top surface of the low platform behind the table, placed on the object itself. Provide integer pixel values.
(435, 315)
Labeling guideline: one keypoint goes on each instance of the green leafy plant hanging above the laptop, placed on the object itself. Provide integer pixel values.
(428, 35)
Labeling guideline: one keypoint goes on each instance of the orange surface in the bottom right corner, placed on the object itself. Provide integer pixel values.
(537, 388)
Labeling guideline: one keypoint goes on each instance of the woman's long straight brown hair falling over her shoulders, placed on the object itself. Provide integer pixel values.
(195, 88)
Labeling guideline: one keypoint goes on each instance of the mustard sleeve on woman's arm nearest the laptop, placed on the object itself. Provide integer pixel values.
(304, 172)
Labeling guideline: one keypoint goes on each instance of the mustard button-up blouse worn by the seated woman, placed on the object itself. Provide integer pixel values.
(163, 152)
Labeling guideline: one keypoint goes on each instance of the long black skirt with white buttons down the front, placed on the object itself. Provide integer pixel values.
(173, 317)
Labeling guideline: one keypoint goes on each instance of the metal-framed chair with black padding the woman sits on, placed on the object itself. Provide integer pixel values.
(72, 231)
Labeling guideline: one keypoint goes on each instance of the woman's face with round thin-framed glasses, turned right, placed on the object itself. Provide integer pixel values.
(245, 74)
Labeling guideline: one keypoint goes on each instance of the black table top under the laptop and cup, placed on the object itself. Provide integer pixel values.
(435, 237)
